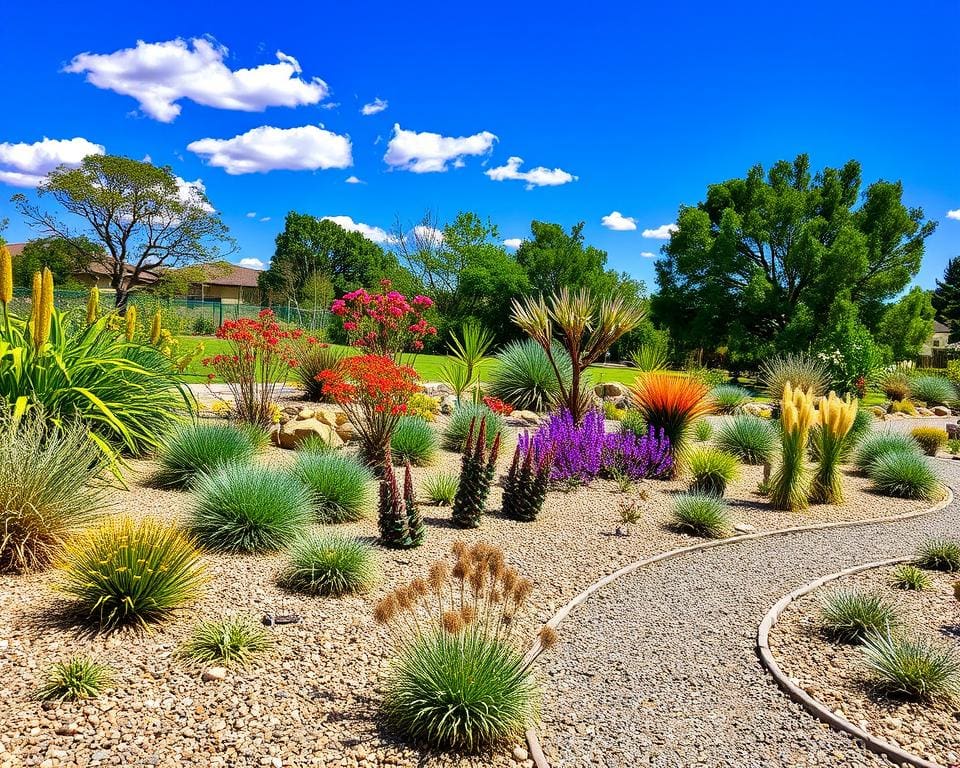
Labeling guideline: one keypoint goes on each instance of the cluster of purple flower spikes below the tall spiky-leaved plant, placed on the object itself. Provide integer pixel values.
(584, 452)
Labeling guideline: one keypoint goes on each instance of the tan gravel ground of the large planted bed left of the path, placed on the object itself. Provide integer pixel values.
(315, 700)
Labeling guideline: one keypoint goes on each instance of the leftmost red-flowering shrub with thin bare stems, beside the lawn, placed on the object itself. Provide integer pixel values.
(260, 358)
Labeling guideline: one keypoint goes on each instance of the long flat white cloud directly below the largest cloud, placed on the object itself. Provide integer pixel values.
(269, 149)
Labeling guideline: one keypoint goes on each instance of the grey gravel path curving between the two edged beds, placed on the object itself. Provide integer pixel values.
(659, 668)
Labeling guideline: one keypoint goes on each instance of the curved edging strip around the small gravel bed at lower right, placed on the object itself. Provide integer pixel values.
(815, 707)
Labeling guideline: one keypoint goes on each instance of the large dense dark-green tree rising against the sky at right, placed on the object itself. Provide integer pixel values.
(760, 261)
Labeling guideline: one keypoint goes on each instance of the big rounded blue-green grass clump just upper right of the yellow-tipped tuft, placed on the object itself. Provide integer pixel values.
(249, 508)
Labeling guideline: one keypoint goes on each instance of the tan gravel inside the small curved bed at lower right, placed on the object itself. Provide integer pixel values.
(836, 675)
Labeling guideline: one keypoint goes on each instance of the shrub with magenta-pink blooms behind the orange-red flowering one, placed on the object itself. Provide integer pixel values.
(384, 323)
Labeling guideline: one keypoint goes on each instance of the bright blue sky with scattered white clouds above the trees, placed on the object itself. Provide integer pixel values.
(644, 104)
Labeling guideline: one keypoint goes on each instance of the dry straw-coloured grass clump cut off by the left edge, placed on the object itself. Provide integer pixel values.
(46, 489)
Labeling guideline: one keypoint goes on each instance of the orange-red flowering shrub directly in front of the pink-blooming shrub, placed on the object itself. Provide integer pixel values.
(374, 391)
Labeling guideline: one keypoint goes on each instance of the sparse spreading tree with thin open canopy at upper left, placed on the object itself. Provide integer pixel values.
(143, 218)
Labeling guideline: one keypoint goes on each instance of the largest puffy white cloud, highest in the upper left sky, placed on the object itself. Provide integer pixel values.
(159, 75)
